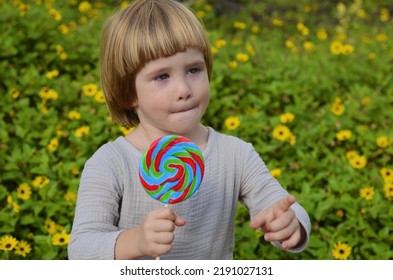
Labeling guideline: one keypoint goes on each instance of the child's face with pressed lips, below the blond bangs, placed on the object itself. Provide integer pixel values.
(173, 93)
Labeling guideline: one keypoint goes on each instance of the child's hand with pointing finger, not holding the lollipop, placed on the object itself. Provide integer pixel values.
(279, 223)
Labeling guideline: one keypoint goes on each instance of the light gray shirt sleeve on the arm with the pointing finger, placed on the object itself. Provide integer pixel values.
(260, 190)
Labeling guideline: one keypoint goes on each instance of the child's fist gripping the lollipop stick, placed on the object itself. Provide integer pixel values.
(157, 231)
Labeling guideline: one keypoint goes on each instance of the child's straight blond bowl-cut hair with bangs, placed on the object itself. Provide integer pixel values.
(144, 31)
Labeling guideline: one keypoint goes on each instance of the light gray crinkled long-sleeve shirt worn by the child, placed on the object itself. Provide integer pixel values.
(112, 199)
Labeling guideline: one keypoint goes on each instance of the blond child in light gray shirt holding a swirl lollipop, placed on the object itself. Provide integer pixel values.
(155, 69)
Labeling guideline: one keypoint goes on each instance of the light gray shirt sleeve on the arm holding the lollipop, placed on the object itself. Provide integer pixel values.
(95, 229)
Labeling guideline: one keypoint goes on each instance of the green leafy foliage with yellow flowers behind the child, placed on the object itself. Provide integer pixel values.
(290, 78)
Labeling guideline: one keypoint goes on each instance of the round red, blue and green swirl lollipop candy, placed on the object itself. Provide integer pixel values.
(171, 169)
